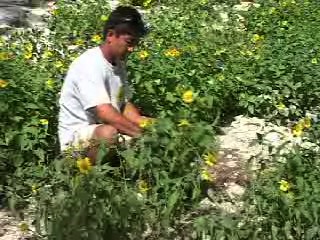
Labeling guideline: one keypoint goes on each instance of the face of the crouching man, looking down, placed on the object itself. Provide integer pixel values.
(122, 45)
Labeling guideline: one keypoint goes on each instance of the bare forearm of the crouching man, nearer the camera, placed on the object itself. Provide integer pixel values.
(109, 115)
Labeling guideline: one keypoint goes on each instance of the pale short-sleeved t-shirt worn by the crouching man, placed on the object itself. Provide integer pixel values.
(91, 80)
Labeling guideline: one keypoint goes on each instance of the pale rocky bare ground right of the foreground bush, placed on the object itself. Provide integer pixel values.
(241, 149)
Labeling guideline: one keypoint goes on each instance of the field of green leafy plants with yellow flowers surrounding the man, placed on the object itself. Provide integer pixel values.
(202, 63)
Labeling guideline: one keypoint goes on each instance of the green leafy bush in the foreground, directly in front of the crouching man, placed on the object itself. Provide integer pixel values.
(158, 181)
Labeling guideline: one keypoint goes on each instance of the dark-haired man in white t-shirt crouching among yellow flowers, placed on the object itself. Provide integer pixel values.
(94, 102)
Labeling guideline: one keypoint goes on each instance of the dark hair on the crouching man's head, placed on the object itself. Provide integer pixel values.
(125, 20)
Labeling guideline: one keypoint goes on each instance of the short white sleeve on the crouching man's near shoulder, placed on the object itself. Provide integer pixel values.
(91, 86)
